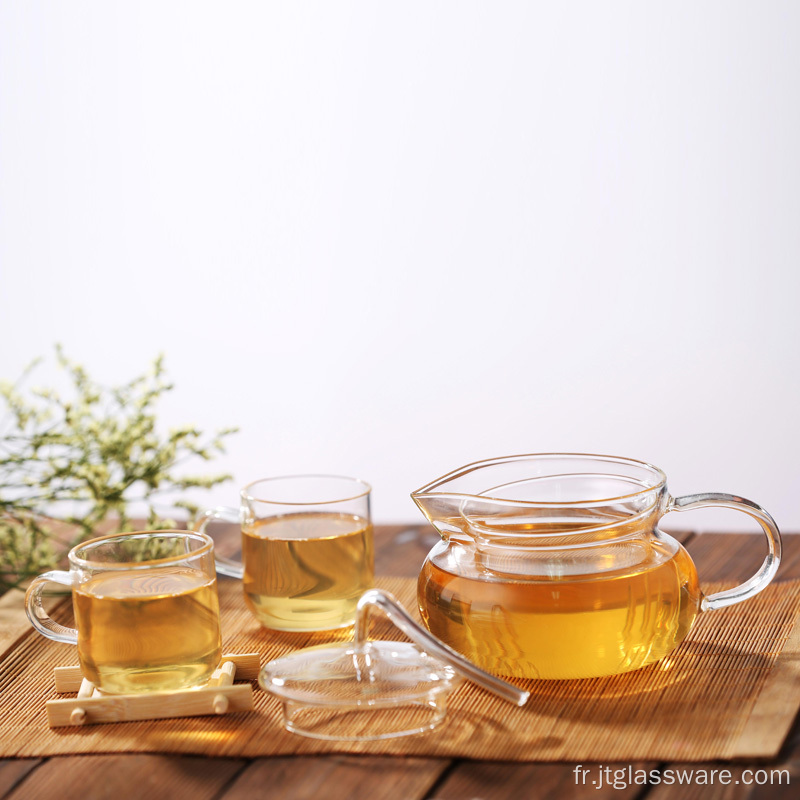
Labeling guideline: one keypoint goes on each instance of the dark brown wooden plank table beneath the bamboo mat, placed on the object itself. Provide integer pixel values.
(400, 551)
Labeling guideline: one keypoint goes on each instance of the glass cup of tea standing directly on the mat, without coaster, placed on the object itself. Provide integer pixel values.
(307, 550)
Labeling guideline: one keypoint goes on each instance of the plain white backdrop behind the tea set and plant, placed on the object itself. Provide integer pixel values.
(387, 239)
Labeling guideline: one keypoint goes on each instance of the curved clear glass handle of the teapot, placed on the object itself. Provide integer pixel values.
(766, 571)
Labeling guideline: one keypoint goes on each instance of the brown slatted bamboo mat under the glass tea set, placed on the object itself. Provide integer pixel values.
(729, 691)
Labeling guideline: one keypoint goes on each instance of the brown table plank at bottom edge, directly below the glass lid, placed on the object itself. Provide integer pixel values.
(336, 778)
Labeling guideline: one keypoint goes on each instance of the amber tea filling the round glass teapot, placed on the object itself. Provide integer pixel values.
(568, 626)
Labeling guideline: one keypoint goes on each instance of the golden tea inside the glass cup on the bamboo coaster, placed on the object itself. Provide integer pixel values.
(148, 630)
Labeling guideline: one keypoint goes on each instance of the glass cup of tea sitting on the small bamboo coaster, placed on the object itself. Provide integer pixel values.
(146, 610)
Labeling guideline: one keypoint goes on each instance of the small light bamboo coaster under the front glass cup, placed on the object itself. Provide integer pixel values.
(218, 696)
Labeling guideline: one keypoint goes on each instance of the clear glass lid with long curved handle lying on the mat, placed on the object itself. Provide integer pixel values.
(369, 690)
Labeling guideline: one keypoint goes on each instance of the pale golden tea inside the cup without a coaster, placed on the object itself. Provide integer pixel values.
(306, 572)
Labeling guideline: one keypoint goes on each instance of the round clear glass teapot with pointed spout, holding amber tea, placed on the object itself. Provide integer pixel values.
(553, 565)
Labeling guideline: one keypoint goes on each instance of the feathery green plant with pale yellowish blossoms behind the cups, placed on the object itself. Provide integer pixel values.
(79, 463)
